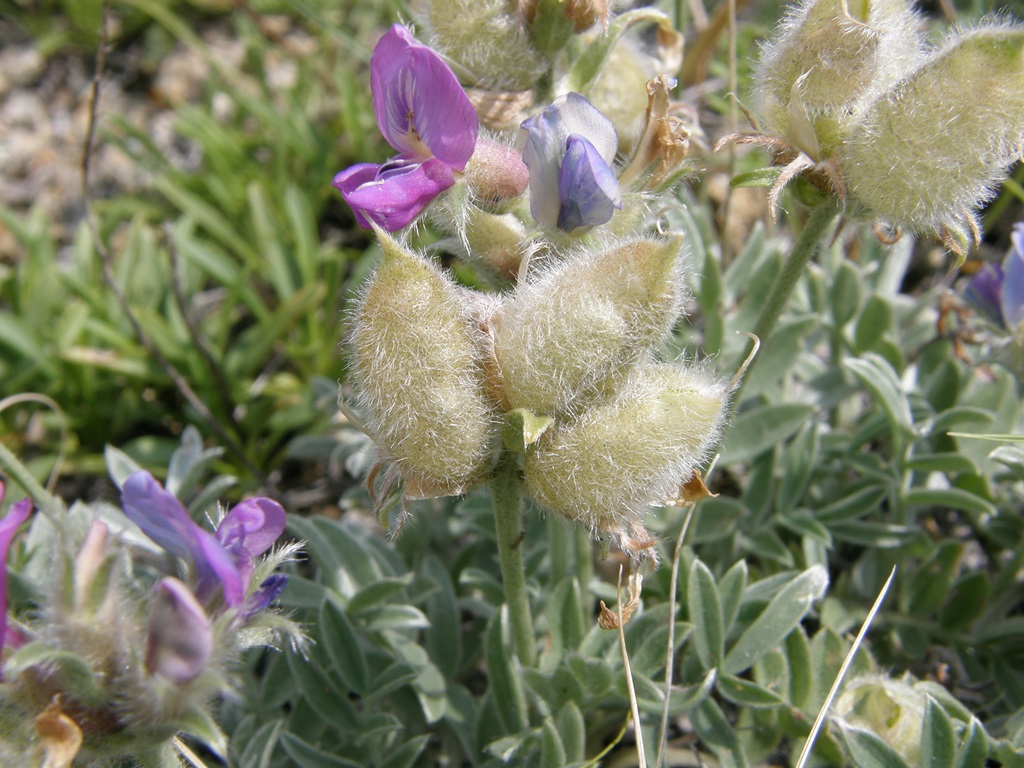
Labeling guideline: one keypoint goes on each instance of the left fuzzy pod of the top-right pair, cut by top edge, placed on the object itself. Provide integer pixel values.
(828, 59)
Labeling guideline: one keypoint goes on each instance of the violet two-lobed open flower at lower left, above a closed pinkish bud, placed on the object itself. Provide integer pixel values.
(223, 560)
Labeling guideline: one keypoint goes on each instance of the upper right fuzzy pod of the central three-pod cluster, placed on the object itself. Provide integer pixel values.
(576, 326)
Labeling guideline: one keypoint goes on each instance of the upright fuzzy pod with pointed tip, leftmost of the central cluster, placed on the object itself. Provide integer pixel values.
(416, 367)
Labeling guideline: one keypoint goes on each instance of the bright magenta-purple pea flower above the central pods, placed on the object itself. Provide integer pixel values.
(425, 115)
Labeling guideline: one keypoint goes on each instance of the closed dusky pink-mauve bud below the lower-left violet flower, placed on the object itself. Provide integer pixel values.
(181, 639)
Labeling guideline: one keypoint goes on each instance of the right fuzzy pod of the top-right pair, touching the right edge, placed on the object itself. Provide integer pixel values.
(934, 148)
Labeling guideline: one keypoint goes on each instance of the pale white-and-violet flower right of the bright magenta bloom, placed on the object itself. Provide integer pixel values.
(570, 149)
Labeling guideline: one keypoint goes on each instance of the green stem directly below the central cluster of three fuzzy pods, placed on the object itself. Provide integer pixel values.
(506, 490)
